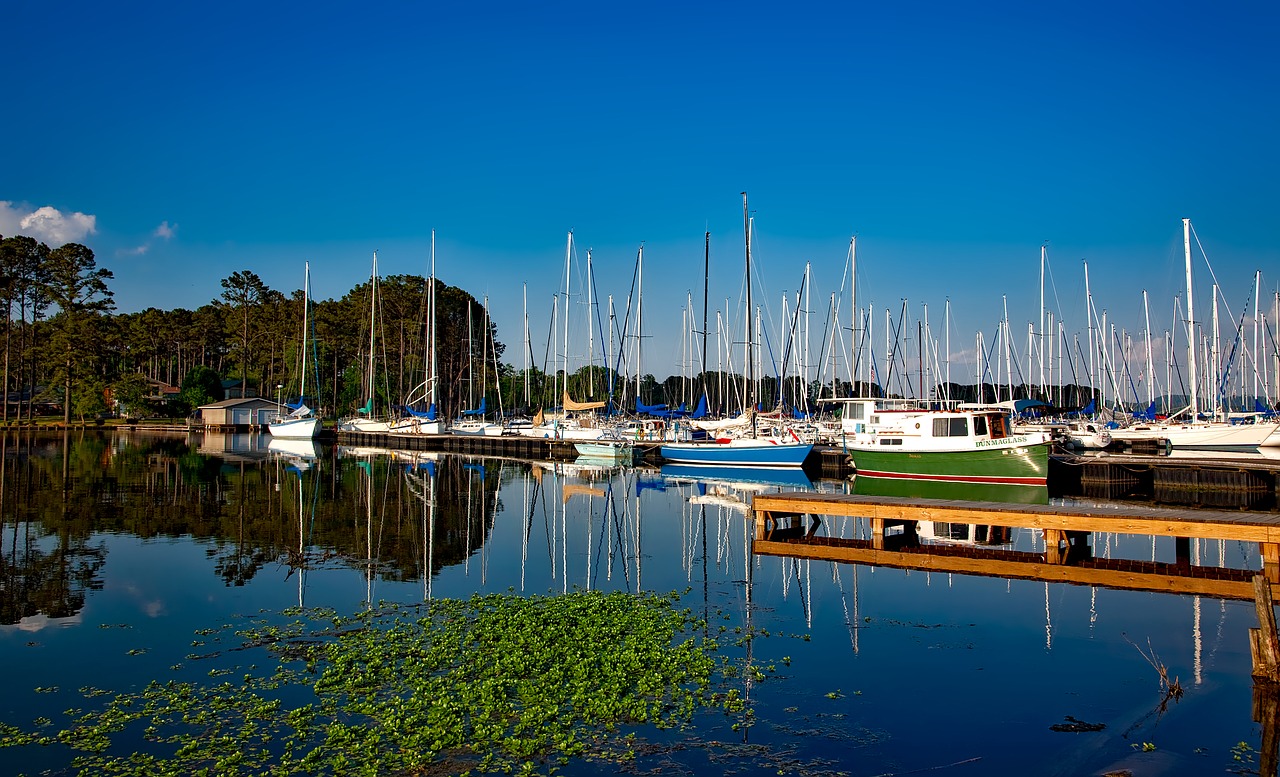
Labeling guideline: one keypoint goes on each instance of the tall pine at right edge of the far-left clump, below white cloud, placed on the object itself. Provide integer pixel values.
(77, 286)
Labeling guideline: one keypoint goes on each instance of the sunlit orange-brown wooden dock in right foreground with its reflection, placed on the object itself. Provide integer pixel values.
(780, 532)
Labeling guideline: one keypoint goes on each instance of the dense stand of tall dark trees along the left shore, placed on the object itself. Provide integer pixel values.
(67, 349)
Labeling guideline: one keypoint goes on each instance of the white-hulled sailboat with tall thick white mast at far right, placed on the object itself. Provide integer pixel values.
(1195, 433)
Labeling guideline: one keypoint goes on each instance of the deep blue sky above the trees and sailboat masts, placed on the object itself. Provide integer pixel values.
(186, 141)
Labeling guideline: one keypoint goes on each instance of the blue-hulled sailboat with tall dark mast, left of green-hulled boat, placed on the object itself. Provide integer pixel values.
(752, 450)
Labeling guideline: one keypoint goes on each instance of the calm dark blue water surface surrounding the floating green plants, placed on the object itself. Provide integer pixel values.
(120, 550)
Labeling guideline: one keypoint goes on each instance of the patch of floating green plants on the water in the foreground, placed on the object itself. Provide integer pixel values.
(491, 684)
